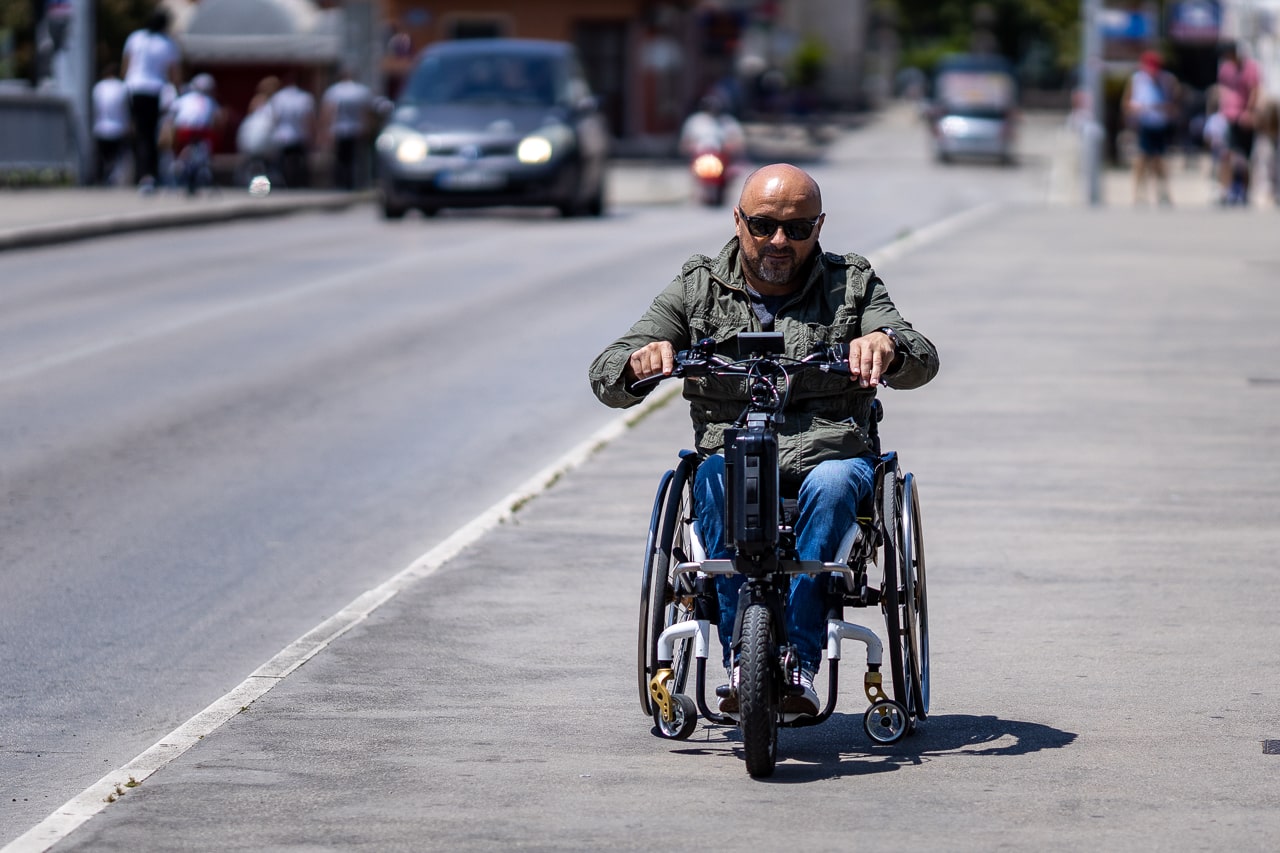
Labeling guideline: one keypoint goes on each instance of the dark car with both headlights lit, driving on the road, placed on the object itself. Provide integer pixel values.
(487, 122)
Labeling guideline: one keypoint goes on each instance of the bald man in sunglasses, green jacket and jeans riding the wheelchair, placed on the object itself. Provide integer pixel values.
(774, 277)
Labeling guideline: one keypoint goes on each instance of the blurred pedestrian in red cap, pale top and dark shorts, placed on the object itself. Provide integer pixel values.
(1151, 108)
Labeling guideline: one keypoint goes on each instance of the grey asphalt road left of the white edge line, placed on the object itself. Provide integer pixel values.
(212, 440)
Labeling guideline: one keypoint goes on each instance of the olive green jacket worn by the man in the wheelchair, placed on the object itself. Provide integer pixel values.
(828, 416)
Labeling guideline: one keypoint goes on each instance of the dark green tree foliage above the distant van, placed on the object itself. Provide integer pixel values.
(1040, 37)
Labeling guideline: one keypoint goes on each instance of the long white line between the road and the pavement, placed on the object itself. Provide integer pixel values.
(92, 801)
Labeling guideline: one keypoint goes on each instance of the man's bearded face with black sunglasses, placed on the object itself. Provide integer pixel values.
(776, 257)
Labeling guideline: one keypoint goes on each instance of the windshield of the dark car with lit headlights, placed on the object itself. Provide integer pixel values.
(484, 80)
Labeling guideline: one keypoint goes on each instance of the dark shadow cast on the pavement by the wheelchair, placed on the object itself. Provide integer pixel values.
(840, 747)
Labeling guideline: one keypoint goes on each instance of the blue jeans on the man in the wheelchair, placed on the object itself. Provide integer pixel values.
(828, 508)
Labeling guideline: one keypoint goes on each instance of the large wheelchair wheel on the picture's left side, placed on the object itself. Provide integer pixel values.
(666, 599)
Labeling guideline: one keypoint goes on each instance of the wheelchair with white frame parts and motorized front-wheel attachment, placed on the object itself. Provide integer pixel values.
(883, 567)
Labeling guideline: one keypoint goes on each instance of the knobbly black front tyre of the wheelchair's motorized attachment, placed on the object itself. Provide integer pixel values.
(757, 692)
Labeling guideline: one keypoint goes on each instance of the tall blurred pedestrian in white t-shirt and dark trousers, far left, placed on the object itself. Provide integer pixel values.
(152, 61)
